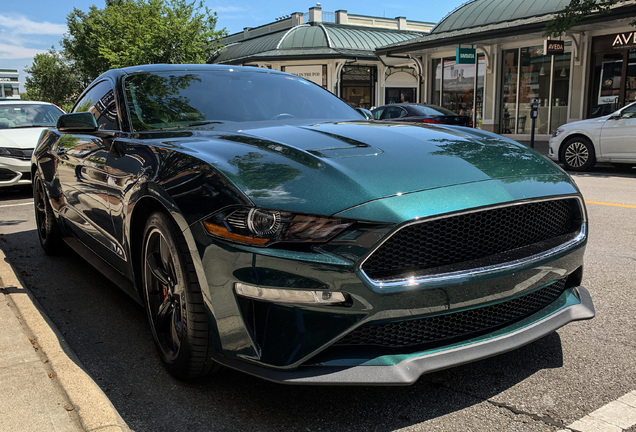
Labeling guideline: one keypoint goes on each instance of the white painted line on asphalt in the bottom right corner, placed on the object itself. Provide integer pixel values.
(616, 416)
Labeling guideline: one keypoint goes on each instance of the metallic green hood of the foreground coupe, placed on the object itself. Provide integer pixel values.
(330, 167)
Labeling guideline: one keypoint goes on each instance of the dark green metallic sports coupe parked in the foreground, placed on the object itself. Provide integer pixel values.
(268, 227)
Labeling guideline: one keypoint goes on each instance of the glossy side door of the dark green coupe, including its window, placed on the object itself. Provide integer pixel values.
(83, 174)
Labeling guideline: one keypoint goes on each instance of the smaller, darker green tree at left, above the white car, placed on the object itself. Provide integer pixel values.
(52, 79)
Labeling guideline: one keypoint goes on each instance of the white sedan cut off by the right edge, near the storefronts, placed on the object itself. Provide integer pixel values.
(611, 138)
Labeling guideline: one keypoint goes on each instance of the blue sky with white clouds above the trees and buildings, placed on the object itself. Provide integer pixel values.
(29, 27)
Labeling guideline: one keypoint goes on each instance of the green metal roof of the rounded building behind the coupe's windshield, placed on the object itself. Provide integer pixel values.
(316, 40)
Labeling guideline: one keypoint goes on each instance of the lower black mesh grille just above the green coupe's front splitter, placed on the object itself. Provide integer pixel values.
(452, 327)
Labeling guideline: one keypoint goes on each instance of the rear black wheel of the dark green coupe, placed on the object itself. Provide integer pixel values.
(48, 231)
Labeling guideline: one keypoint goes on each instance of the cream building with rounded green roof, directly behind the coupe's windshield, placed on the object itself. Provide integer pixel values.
(336, 51)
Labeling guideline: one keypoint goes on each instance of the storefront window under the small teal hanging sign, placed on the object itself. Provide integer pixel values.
(456, 88)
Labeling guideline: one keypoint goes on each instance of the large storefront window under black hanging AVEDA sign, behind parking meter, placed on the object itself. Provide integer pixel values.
(528, 75)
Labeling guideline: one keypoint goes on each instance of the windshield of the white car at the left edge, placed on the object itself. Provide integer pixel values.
(14, 116)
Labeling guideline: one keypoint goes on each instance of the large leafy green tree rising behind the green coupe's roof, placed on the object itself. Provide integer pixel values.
(132, 32)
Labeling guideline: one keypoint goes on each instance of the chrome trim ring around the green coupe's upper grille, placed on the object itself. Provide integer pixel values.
(441, 277)
